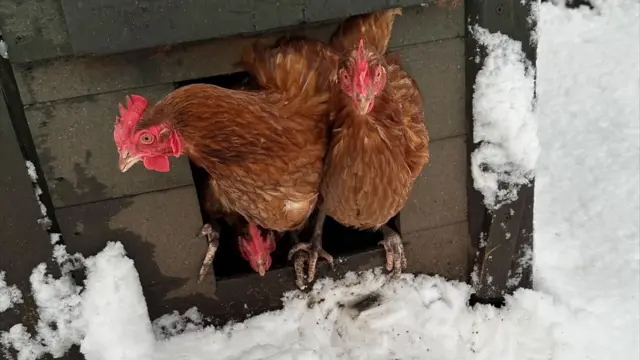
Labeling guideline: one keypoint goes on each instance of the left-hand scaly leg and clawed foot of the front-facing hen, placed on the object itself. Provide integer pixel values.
(309, 252)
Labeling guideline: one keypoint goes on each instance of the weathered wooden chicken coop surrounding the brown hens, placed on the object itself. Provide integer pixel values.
(71, 62)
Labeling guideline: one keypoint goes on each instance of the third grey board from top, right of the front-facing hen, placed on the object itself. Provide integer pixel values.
(439, 195)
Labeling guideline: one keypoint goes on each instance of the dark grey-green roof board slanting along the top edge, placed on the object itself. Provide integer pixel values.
(116, 26)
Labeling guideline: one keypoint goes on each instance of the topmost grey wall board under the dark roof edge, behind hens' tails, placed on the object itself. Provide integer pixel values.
(79, 76)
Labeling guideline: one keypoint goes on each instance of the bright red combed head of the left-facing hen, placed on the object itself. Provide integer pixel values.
(152, 144)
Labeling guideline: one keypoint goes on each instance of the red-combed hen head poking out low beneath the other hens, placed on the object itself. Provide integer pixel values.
(257, 249)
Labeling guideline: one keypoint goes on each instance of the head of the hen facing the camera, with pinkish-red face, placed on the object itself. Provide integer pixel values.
(362, 77)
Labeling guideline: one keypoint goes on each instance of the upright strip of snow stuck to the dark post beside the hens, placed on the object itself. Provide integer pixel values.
(505, 124)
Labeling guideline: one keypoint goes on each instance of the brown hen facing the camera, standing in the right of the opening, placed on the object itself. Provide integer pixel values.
(379, 142)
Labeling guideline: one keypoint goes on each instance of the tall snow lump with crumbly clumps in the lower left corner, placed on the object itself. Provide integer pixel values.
(108, 319)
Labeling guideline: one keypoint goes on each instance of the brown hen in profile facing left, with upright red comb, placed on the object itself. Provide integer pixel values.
(264, 150)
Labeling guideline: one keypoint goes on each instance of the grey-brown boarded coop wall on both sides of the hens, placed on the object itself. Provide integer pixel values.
(71, 104)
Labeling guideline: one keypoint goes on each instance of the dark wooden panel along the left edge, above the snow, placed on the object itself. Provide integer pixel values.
(25, 243)
